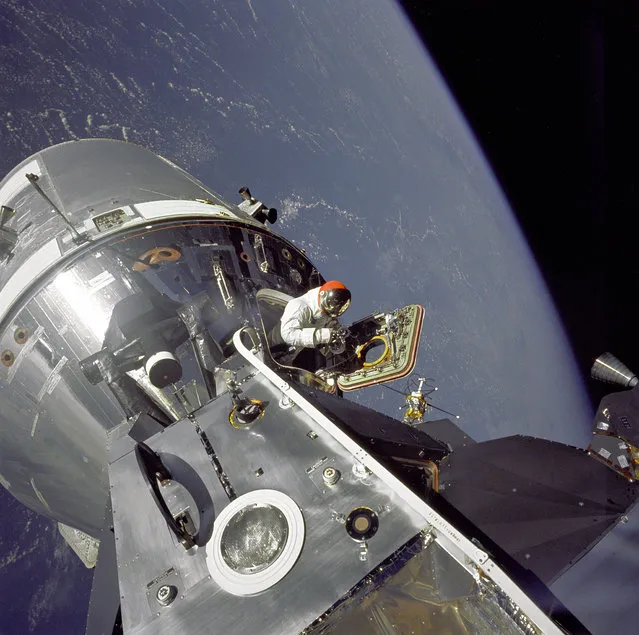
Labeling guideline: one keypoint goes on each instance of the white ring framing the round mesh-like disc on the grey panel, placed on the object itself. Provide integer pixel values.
(252, 583)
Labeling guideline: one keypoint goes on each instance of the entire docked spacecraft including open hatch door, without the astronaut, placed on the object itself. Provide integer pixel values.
(218, 490)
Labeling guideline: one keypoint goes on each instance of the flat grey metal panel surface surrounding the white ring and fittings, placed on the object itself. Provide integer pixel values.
(329, 564)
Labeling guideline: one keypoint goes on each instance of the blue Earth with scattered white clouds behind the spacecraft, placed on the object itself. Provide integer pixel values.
(334, 113)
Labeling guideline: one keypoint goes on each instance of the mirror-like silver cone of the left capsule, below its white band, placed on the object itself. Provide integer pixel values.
(75, 354)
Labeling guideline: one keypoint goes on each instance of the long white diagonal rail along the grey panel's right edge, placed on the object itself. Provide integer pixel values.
(443, 529)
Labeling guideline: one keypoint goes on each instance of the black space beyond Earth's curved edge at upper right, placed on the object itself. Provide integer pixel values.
(552, 94)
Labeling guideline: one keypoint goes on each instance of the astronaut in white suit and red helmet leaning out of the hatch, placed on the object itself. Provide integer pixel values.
(310, 321)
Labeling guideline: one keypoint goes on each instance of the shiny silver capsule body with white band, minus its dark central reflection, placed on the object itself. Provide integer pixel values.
(54, 423)
